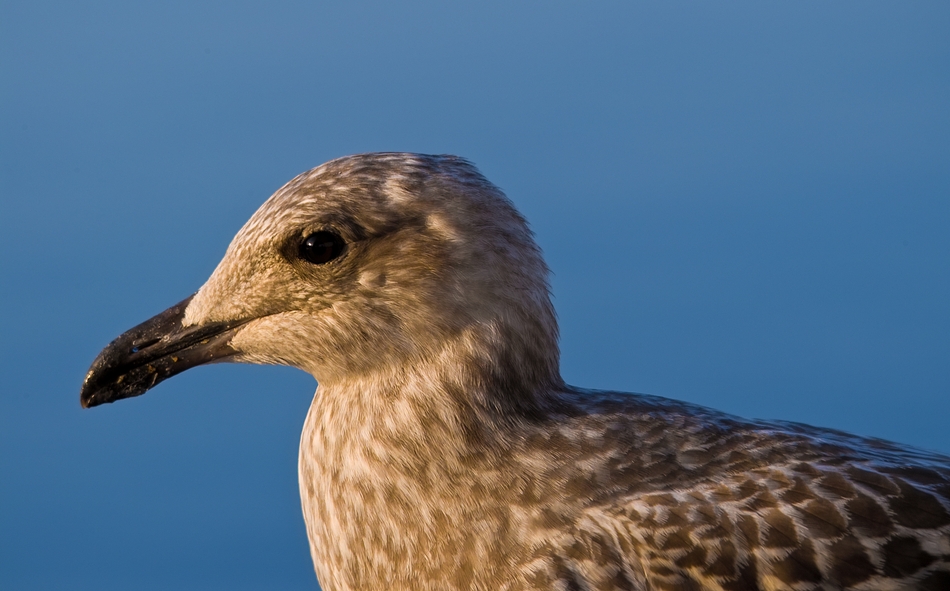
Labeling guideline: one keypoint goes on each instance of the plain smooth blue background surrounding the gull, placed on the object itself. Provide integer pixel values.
(744, 204)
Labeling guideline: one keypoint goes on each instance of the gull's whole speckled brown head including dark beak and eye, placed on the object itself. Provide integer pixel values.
(364, 266)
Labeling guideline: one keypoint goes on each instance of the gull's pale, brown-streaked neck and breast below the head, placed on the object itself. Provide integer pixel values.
(385, 458)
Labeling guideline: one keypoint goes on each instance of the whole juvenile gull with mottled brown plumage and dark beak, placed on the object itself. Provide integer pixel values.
(443, 451)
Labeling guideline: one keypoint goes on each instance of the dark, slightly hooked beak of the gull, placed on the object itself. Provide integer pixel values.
(153, 351)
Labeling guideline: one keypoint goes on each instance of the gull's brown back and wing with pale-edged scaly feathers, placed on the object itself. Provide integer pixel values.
(687, 498)
